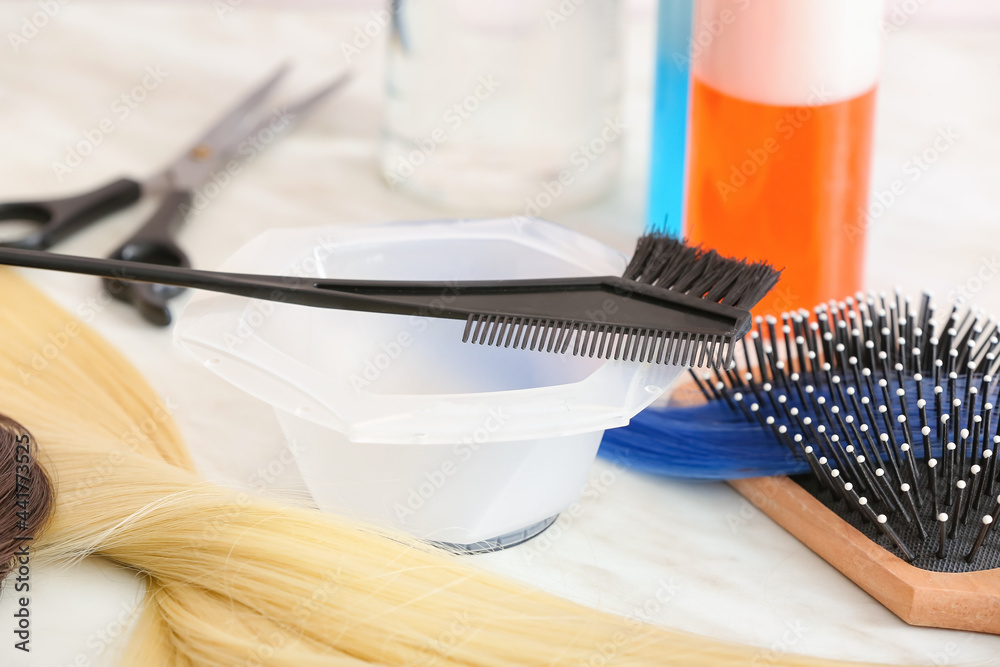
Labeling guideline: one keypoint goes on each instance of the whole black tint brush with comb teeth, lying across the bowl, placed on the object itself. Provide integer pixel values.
(674, 305)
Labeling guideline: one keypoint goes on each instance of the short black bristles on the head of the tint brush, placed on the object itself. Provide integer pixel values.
(663, 261)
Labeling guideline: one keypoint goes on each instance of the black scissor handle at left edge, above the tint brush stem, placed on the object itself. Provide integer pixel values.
(55, 219)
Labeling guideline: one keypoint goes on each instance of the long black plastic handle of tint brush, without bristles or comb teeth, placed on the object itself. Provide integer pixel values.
(604, 300)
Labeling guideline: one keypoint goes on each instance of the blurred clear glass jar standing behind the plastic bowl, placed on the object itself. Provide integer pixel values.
(503, 107)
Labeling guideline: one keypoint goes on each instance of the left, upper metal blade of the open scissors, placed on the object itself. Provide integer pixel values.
(217, 144)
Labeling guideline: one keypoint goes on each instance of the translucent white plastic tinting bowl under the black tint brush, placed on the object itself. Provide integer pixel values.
(395, 419)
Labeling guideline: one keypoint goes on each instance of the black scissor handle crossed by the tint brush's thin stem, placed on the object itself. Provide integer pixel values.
(153, 244)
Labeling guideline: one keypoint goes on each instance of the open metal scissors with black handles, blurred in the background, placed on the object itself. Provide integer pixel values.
(52, 220)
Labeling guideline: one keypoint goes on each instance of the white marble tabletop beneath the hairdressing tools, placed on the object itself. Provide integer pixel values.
(720, 567)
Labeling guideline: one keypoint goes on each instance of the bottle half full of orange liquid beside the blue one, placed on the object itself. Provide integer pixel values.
(782, 110)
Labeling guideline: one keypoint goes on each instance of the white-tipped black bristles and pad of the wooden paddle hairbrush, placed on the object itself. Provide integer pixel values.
(900, 407)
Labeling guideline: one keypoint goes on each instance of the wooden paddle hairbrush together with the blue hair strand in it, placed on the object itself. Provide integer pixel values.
(888, 416)
